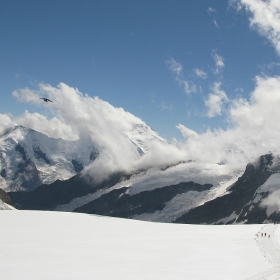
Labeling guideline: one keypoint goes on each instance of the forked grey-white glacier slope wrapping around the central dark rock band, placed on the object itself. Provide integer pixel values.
(220, 176)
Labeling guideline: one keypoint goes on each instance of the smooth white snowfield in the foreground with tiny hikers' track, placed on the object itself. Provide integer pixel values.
(57, 245)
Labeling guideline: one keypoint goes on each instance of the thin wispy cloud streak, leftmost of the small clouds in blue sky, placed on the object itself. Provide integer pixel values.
(177, 68)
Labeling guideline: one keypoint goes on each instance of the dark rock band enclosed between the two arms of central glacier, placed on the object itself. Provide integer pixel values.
(118, 203)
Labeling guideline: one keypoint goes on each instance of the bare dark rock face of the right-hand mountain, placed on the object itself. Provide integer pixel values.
(238, 201)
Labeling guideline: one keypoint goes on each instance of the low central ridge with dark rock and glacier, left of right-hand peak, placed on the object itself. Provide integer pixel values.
(154, 195)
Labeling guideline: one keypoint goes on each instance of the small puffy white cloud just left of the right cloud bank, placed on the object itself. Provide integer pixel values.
(215, 101)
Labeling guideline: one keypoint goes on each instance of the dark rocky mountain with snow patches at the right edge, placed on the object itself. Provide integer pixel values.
(253, 198)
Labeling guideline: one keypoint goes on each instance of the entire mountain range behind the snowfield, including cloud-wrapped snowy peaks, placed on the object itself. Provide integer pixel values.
(43, 173)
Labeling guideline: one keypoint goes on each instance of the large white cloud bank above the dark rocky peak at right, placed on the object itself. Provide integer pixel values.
(253, 129)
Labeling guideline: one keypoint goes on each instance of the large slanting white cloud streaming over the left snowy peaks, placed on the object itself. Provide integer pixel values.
(78, 116)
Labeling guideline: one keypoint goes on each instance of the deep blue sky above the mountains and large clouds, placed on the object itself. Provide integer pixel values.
(157, 59)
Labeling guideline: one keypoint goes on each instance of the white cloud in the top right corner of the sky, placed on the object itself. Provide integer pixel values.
(265, 17)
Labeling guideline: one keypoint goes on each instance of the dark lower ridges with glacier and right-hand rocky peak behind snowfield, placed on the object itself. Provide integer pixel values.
(190, 192)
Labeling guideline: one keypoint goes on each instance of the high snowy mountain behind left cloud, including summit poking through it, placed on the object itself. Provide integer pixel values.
(29, 158)
